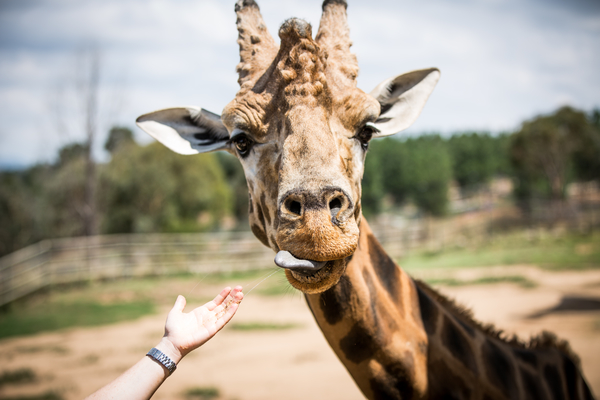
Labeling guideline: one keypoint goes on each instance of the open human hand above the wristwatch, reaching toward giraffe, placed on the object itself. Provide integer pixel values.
(185, 332)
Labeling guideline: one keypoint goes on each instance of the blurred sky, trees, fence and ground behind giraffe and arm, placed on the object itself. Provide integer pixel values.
(493, 196)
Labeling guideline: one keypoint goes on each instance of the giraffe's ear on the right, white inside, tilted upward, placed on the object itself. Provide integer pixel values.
(402, 98)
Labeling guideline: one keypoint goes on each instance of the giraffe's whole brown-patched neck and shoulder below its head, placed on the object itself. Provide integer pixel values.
(401, 340)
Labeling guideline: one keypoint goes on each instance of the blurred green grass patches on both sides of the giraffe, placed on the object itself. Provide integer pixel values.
(109, 302)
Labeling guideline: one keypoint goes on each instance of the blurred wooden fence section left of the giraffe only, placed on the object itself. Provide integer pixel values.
(68, 260)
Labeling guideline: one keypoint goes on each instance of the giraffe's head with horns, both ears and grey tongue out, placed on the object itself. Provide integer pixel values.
(301, 129)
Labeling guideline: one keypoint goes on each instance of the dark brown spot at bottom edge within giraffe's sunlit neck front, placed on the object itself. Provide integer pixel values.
(395, 383)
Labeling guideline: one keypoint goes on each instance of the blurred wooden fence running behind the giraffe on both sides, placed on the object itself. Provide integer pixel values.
(70, 260)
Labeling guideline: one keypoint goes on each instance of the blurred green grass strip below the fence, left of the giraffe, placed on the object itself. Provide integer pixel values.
(102, 303)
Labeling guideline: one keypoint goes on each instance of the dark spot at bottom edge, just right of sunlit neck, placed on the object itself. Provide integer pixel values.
(445, 384)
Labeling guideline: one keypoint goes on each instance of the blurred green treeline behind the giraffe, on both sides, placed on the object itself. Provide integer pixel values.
(151, 189)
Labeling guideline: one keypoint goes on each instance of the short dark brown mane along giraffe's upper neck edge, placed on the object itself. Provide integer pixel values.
(543, 341)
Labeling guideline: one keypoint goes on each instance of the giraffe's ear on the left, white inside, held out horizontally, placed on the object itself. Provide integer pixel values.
(186, 130)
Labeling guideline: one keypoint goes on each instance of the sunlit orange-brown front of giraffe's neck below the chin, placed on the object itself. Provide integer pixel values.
(370, 320)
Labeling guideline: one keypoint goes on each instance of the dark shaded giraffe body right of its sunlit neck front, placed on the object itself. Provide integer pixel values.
(466, 360)
